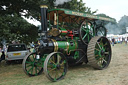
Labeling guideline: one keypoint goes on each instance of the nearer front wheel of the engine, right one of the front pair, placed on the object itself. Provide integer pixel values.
(55, 66)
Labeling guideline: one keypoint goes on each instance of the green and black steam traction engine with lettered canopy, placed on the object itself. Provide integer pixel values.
(68, 38)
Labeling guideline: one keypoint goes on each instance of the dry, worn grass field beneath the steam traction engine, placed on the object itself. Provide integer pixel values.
(115, 74)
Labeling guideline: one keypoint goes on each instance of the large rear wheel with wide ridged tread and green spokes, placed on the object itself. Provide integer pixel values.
(99, 52)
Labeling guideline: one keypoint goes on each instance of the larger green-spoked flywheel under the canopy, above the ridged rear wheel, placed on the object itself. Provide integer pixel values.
(86, 31)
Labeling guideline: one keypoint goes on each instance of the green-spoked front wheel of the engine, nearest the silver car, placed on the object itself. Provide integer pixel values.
(33, 64)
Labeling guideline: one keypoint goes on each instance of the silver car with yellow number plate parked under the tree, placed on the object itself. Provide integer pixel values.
(16, 52)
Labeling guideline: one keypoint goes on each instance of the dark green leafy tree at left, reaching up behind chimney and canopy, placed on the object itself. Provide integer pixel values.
(13, 27)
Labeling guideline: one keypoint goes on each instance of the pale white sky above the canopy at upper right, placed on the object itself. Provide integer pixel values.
(113, 8)
